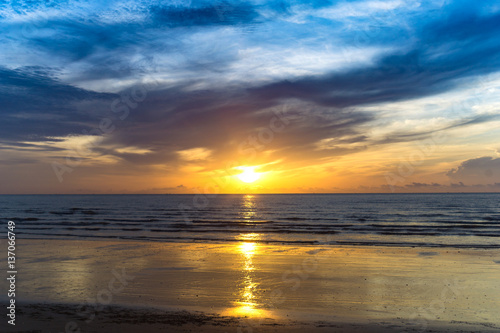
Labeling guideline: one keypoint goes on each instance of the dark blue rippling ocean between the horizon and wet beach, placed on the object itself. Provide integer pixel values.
(407, 220)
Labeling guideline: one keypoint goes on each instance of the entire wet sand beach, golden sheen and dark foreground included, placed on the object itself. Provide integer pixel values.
(107, 286)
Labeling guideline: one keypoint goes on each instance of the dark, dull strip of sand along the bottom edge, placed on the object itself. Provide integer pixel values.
(59, 317)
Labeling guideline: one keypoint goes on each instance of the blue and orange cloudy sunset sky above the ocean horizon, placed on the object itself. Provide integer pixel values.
(181, 96)
